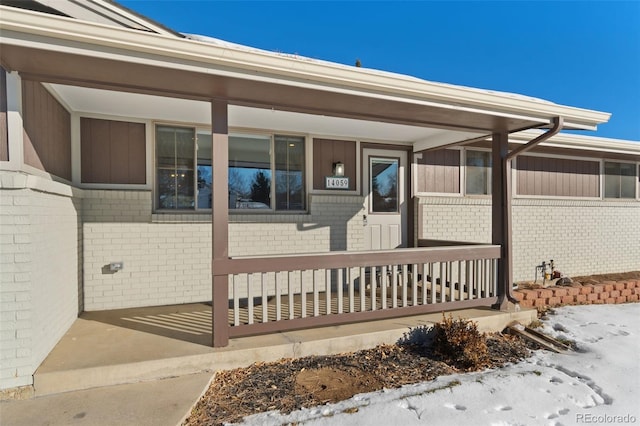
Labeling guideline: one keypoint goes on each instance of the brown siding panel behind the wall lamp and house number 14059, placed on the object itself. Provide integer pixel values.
(328, 151)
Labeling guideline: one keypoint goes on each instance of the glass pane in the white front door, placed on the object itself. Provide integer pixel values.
(383, 174)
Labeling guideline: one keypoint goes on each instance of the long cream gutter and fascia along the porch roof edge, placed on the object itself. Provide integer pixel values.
(291, 70)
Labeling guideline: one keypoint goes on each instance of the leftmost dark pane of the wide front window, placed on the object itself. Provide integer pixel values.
(174, 159)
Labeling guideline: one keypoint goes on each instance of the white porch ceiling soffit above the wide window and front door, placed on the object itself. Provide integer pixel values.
(126, 106)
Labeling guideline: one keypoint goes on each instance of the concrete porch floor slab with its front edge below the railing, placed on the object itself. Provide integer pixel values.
(134, 345)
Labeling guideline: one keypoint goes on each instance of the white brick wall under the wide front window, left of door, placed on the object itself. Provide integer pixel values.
(167, 261)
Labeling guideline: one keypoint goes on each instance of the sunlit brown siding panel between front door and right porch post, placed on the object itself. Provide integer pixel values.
(439, 171)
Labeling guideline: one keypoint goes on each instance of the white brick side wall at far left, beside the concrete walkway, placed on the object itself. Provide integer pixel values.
(39, 280)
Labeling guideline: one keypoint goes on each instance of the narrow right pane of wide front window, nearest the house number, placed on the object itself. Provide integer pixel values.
(289, 162)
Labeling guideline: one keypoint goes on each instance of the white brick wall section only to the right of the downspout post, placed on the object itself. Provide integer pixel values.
(582, 237)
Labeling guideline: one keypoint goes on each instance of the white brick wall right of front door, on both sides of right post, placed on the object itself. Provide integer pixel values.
(582, 237)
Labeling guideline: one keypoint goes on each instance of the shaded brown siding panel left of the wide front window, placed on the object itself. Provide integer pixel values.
(112, 151)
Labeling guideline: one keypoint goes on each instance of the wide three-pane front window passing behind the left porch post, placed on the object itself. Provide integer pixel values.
(266, 172)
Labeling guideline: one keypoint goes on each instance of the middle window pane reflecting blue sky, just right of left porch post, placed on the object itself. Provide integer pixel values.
(249, 172)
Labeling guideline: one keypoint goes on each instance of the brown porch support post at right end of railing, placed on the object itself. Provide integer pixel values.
(501, 215)
